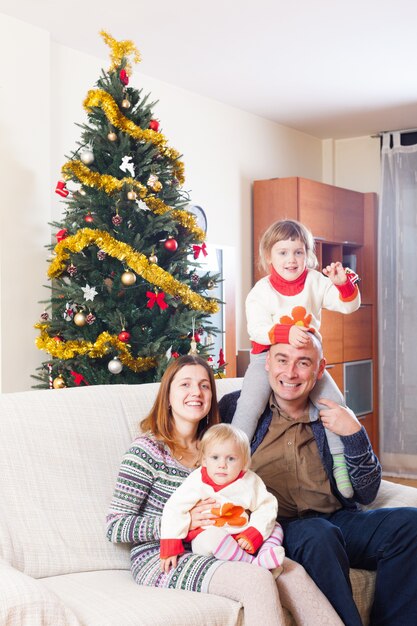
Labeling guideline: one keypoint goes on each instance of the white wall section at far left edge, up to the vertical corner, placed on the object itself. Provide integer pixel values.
(25, 195)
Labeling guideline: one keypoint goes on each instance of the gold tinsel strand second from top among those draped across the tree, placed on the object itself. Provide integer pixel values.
(109, 184)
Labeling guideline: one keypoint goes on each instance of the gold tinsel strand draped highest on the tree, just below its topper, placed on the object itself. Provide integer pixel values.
(103, 100)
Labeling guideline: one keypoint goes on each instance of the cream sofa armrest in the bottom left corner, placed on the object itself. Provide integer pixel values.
(24, 601)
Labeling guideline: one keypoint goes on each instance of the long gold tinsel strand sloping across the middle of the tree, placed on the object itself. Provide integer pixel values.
(135, 260)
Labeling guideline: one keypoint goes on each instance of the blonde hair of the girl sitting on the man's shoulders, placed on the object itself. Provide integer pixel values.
(281, 231)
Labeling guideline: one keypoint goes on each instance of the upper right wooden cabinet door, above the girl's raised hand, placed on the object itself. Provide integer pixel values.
(348, 216)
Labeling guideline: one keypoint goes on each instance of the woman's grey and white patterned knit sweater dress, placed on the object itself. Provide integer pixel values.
(148, 476)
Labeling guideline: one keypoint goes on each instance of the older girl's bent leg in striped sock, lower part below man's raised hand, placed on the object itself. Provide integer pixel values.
(327, 388)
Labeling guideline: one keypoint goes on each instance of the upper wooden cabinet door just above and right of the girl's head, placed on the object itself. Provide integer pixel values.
(316, 208)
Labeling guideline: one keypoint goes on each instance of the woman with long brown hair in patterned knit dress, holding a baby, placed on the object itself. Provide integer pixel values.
(154, 466)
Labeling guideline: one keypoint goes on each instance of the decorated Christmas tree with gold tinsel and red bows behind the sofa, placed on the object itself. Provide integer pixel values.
(127, 289)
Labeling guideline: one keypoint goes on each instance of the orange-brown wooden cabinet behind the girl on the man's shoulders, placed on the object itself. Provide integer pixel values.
(344, 225)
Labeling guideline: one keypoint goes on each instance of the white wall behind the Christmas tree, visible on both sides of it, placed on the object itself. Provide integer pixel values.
(224, 150)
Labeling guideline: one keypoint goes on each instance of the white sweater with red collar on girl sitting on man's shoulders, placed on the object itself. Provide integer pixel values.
(274, 305)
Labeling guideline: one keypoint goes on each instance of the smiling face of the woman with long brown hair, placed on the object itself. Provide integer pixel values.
(190, 394)
